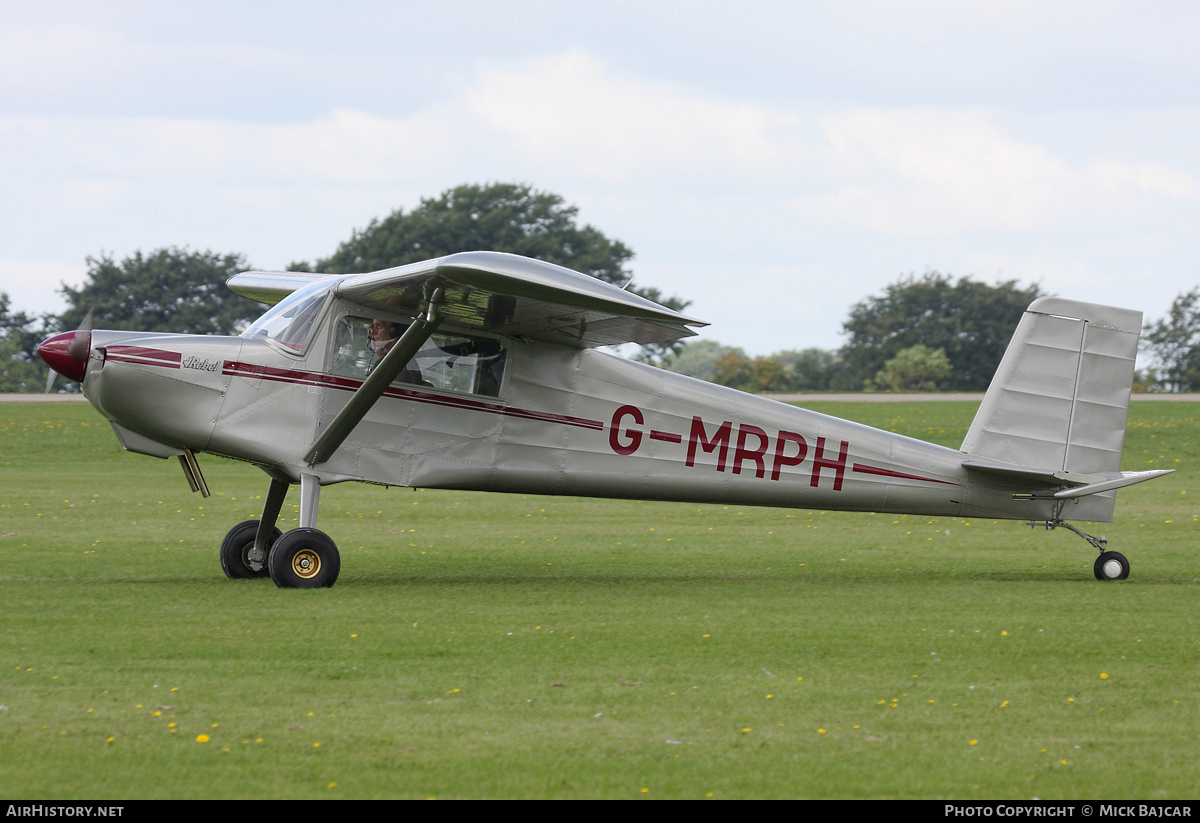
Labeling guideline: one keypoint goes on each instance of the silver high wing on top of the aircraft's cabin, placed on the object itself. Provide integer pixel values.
(500, 293)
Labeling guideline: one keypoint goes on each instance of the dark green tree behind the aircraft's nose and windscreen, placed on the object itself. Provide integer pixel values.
(170, 290)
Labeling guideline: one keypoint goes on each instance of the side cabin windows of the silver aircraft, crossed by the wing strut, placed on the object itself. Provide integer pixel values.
(447, 362)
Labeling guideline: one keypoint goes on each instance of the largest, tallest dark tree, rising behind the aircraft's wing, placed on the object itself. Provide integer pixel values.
(499, 218)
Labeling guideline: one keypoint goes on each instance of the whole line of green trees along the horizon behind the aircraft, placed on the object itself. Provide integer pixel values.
(928, 333)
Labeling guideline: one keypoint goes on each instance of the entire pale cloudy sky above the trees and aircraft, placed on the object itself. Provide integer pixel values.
(773, 163)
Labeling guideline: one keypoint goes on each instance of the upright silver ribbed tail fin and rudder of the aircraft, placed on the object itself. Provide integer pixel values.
(1060, 400)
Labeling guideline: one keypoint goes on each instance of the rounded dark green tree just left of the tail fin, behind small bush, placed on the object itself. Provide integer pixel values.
(969, 321)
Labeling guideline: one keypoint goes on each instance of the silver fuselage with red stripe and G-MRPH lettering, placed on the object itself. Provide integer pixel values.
(567, 422)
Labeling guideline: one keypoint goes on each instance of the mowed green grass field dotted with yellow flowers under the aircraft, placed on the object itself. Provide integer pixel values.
(485, 646)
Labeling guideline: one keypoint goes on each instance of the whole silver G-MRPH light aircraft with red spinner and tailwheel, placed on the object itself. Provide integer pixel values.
(484, 371)
